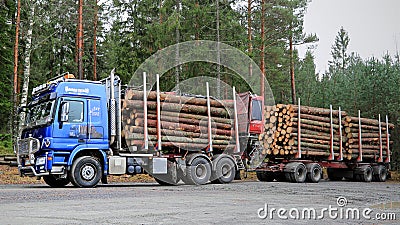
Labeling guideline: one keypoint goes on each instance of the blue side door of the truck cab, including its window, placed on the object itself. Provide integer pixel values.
(70, 126)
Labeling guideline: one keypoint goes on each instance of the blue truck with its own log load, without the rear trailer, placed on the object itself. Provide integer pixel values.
(79, 132)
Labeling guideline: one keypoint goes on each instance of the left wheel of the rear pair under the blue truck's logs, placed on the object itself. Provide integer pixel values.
(199, 172)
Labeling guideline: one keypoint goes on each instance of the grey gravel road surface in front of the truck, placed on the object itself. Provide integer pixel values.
(235, 203)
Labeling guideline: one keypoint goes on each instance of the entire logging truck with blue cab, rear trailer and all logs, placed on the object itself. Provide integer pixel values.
(79, 132)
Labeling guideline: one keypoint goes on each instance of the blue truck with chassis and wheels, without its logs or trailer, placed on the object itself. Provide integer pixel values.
(73, 134)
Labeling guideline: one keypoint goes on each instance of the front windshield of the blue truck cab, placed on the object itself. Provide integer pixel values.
(40, 114)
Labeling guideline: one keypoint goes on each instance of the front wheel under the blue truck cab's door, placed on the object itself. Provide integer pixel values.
(86, 172)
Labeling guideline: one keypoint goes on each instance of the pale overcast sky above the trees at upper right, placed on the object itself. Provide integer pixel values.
(373, 27)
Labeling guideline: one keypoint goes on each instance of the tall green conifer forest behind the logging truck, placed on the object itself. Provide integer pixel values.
(42, 39)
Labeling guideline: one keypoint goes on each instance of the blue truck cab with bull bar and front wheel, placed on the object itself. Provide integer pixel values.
(67, 119)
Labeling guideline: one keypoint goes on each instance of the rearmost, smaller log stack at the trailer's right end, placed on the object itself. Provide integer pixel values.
(374, 136)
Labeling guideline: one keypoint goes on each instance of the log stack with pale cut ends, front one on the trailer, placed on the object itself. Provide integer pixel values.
(314, 127)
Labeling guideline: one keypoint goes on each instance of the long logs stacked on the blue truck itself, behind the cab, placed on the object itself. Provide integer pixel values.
(184, 121)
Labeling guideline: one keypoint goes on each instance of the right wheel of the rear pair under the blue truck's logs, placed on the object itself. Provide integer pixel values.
(225, 171)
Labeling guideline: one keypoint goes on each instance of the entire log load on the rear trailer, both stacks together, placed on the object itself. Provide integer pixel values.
(319, 134)
